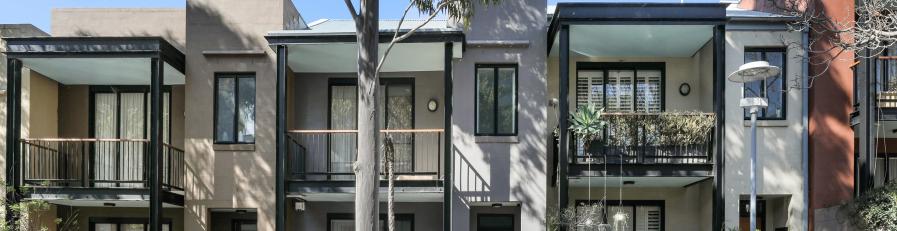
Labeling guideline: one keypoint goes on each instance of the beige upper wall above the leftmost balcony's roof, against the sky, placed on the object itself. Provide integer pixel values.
(168, 23)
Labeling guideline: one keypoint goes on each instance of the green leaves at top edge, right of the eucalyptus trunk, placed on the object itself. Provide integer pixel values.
(455, 9)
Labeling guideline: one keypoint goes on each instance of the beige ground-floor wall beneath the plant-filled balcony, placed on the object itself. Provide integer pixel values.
(685, 209)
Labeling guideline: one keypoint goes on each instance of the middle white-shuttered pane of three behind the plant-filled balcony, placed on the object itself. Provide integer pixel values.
(619, 90)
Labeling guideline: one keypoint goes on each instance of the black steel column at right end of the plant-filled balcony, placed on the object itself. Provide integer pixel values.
(719, 87)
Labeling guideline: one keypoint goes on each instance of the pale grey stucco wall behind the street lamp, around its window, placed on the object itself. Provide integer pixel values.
(779, 170)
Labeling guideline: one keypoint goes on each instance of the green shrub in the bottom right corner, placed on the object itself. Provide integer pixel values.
(876, 209)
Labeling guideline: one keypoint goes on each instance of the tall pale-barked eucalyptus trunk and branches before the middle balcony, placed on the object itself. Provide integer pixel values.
(366, 19)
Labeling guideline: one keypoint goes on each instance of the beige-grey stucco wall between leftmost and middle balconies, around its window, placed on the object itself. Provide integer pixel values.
(232, 176)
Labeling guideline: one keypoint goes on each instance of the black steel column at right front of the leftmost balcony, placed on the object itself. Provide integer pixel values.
(157, 78)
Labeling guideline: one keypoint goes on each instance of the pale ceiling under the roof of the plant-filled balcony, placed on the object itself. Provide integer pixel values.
(637, 40)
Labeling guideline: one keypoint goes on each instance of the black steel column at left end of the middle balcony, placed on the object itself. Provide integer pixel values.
(281, 117)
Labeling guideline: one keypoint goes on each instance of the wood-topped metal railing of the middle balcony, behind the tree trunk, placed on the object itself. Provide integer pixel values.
(329, 154)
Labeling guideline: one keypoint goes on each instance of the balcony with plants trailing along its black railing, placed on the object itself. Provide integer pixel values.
(649, 144)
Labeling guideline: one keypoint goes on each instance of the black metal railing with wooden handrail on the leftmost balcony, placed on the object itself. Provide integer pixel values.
(97, 163)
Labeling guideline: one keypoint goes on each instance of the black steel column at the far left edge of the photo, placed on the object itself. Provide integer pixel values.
(13, 133)
